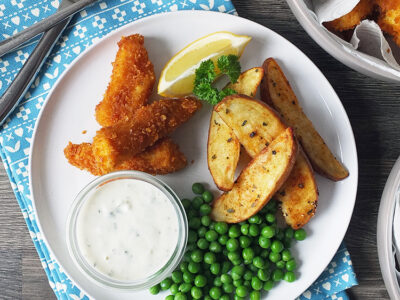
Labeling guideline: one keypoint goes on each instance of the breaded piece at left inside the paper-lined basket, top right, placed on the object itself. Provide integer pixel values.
(363, 9)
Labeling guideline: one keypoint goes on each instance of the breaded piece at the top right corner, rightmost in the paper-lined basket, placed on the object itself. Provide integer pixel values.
(389, 18)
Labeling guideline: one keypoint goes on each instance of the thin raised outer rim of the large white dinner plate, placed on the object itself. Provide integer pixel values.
(340, 106)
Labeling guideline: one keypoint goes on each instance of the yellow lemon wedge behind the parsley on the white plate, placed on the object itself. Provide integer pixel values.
(178, 75)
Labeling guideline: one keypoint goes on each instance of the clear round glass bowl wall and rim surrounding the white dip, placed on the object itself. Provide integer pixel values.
(102, 279)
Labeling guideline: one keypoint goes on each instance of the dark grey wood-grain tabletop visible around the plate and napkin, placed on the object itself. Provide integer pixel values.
(373, 108)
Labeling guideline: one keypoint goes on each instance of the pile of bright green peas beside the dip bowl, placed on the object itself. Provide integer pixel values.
(224, 260)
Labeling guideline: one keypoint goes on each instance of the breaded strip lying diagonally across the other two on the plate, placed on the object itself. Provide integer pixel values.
(149, 124)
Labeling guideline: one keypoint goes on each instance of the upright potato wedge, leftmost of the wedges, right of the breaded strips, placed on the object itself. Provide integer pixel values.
(223, 151)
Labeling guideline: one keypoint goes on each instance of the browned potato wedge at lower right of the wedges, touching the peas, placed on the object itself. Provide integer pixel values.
(299, 194)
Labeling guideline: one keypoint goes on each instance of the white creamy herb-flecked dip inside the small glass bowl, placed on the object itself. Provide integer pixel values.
(127, 229)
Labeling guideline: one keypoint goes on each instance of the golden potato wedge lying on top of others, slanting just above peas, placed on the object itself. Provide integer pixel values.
(258, 182)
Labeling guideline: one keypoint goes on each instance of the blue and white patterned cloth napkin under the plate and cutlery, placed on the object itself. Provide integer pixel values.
(15, 135)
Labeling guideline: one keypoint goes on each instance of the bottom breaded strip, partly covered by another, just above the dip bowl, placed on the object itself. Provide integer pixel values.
(162, 158)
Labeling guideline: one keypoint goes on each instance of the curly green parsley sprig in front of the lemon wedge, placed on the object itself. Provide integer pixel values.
(206, 74)
